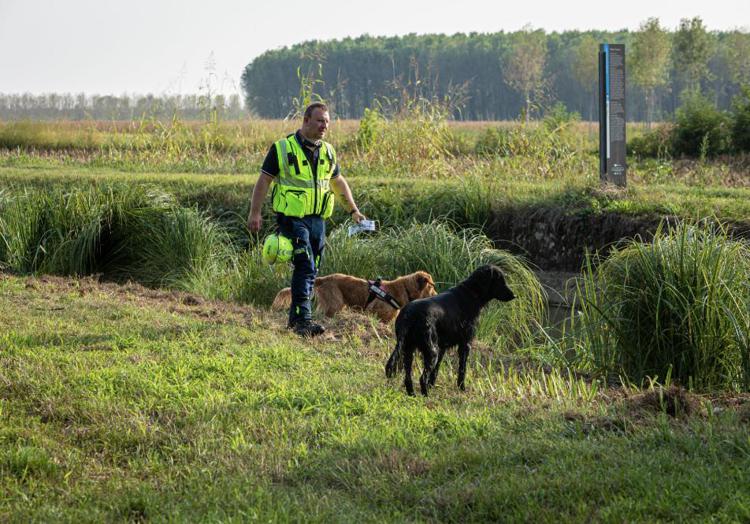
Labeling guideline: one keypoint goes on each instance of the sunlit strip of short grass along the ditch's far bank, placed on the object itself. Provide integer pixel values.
(470, 200)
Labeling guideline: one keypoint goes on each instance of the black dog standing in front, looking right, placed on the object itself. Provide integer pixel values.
(434, 324)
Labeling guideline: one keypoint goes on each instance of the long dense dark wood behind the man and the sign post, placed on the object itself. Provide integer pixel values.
(501, 75)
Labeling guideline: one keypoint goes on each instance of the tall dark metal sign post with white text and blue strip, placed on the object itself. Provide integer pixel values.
(612, 165)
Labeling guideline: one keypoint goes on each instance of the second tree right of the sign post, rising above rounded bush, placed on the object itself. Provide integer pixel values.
(693, 48)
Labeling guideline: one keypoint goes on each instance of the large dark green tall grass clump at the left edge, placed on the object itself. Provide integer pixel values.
(123, 232)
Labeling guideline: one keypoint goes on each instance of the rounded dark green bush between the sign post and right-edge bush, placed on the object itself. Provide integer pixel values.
(701, 130)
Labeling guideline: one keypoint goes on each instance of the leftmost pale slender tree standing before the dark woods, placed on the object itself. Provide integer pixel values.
(524, 65)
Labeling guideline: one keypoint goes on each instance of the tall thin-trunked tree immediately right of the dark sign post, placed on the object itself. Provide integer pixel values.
(649, 61)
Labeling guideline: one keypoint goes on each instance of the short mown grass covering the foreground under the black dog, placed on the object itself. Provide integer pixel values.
(122, 403)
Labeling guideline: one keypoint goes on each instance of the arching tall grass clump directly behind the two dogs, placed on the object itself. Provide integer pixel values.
(449, 255)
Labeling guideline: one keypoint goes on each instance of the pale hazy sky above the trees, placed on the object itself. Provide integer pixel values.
(169, 47)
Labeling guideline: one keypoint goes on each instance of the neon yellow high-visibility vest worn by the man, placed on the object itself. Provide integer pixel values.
(298, 192)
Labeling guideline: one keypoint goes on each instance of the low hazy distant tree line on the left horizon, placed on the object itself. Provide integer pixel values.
(54, 106)
